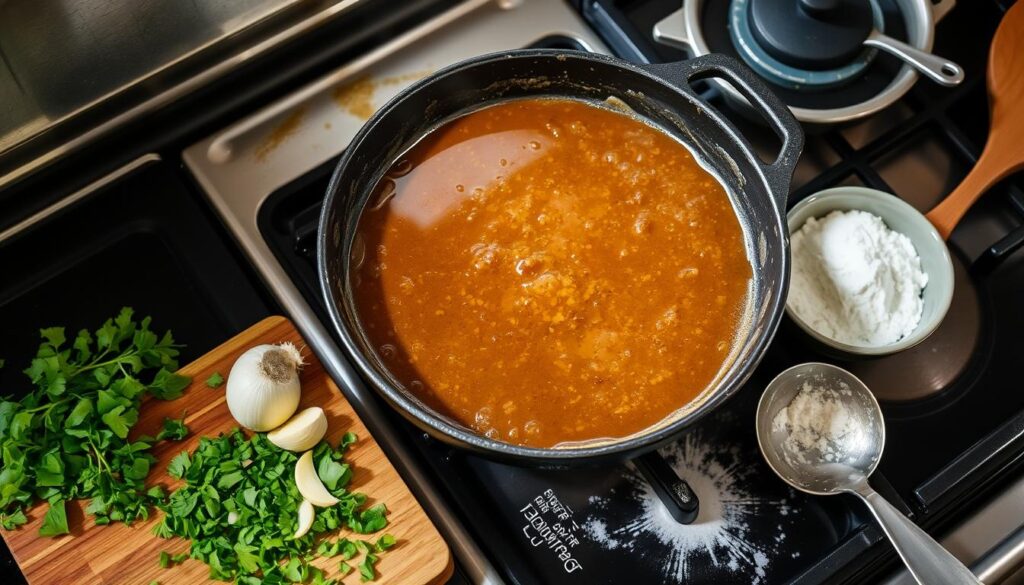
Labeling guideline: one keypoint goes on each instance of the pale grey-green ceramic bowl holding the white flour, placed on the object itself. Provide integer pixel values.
(902, 218)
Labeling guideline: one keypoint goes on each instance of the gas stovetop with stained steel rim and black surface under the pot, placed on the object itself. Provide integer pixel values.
(946, 451)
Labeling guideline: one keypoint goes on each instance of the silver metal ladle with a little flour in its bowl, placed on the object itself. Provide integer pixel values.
(848, 464)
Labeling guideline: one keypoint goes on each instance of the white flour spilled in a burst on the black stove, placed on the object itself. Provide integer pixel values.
(721, 537)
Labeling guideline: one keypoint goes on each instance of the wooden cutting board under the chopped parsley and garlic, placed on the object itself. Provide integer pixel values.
(118, 554)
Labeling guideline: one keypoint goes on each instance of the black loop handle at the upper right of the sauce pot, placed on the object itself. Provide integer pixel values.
(780, 172)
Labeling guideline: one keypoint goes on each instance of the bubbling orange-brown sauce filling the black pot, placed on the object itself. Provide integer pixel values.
(547, 272)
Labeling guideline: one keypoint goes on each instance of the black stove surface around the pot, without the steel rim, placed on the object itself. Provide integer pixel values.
(945, 454)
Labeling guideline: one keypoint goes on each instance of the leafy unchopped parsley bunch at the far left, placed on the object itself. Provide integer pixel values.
(68, 439)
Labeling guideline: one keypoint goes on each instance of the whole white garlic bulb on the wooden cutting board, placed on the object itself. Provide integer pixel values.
(264, 387)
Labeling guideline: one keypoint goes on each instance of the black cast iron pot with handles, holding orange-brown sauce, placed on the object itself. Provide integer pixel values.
(659, 93)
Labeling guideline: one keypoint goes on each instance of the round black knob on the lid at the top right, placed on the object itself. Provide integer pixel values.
(812, 34)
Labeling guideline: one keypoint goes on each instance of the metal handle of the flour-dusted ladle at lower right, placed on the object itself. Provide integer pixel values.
(927, 561)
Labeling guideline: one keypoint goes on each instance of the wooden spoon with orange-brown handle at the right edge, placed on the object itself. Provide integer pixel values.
(1004, 153)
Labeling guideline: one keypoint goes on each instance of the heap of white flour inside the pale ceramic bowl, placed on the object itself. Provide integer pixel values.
(857, 281)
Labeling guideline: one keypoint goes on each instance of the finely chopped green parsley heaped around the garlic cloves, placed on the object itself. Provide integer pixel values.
(240, 510)
